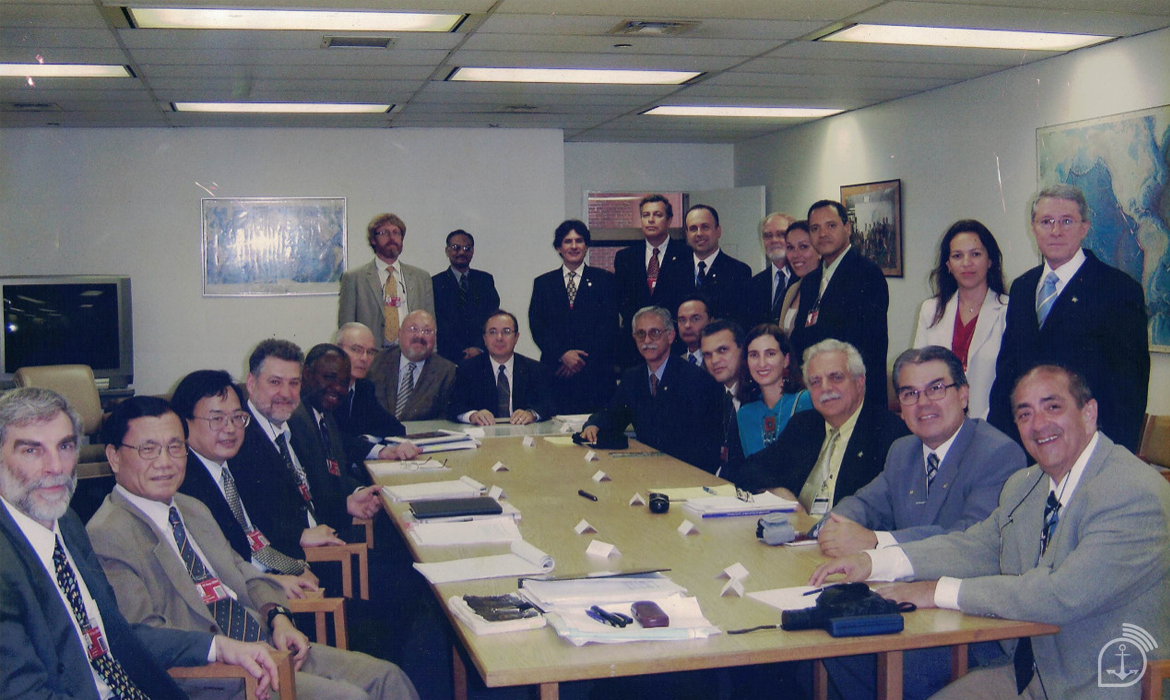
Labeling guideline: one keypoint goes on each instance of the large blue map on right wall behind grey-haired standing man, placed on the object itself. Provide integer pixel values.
(1123, 164)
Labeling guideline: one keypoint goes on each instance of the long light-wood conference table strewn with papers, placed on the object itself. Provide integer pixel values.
(543, 481)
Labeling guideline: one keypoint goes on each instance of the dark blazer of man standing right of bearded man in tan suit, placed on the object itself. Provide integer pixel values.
(463, 328)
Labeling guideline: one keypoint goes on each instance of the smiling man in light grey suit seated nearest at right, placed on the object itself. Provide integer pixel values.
(1082, 540)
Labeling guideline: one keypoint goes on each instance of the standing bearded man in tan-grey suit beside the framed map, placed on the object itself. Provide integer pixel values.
(383, 292)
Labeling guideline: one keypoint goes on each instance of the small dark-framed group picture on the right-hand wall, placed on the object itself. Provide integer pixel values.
(876, 212)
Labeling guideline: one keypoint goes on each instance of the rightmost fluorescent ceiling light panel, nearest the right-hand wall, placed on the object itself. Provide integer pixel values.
(972, 39)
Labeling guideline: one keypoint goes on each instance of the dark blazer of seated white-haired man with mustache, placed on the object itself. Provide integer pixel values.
(789, 461)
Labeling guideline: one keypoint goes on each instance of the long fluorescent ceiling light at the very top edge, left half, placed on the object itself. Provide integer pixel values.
(191, 18)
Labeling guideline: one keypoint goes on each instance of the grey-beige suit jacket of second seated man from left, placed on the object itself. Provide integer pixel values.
(153, 582)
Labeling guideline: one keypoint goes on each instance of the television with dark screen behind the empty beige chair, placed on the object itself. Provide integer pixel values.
(68, 320)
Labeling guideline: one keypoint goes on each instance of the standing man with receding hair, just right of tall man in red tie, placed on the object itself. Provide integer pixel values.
(722, 279)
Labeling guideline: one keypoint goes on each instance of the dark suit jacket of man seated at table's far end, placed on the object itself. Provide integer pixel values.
(476, 388)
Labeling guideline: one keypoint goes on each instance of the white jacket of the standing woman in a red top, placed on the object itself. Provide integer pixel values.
(985, 351)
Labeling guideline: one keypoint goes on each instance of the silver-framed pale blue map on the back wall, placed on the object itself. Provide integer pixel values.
(273, 246)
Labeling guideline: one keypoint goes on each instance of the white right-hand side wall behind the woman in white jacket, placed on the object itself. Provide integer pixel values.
(963, 152)
